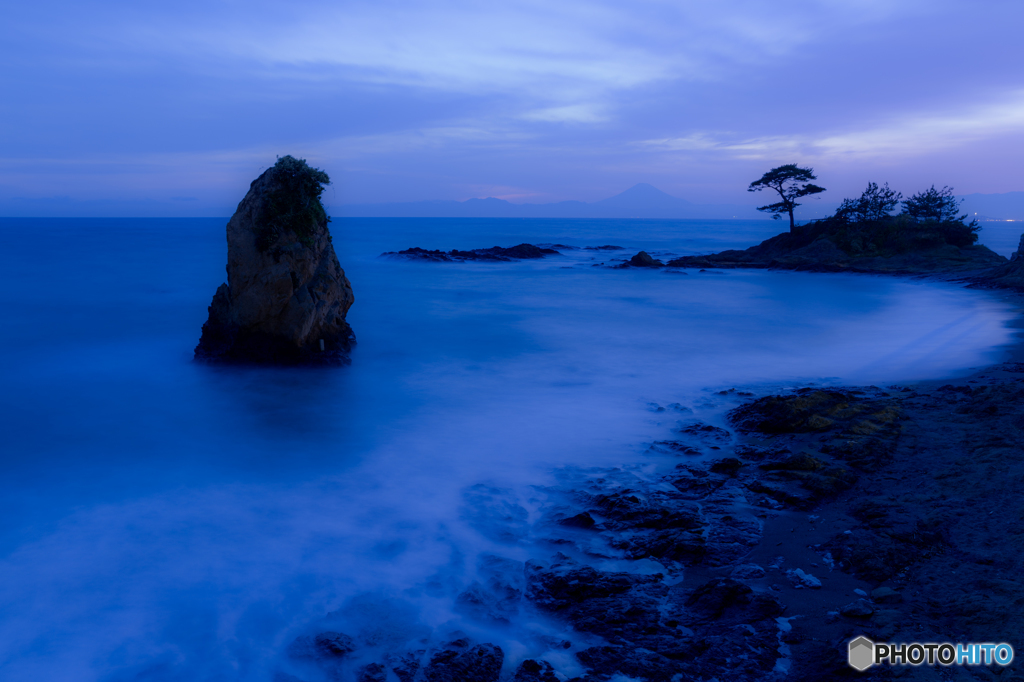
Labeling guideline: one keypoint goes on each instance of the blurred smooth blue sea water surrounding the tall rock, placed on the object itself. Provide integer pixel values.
(166, 521)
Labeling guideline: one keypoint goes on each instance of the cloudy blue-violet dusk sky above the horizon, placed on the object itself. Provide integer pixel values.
(115, 108)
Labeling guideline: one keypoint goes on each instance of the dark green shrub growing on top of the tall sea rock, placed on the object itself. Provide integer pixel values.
(294, 205)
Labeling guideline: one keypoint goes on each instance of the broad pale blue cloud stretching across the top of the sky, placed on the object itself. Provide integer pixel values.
(563, 54)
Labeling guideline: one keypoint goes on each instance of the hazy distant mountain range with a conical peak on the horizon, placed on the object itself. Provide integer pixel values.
(641, 201)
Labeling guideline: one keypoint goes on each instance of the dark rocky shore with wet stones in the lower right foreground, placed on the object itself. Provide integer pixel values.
(753, 548)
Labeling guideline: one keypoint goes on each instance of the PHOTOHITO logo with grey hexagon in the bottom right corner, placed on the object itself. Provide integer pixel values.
(864, 654)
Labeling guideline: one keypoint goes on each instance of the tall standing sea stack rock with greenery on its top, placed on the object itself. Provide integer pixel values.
(286, 297)
